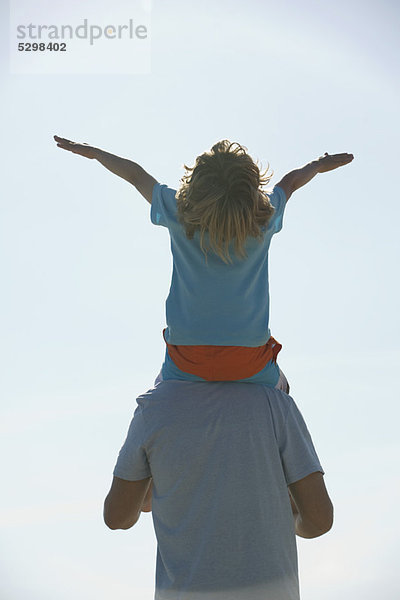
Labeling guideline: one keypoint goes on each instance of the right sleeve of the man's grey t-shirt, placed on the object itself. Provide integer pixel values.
(298, 454)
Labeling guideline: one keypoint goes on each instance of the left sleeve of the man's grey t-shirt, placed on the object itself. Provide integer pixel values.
(132, 463)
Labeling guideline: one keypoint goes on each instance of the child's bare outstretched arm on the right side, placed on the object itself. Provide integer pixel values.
(299, 177)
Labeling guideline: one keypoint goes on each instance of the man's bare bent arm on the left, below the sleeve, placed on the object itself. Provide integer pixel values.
(124, 502)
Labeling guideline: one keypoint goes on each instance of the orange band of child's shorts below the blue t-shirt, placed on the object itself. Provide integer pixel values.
(223, 363)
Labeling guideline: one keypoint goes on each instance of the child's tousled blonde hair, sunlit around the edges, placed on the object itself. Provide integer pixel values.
(222, 196)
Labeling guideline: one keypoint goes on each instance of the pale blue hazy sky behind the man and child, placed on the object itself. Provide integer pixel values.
(85, 276)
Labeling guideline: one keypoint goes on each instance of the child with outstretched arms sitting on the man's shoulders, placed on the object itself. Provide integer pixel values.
(221, 222)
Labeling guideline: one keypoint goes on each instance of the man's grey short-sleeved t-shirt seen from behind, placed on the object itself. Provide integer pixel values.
(221, 456)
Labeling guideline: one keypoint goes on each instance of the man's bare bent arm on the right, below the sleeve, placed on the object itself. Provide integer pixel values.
(311, 506)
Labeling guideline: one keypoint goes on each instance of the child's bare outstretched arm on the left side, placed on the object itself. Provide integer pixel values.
(128, 170)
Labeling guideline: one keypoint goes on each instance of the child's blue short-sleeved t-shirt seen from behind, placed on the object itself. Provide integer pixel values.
(211, 302)
